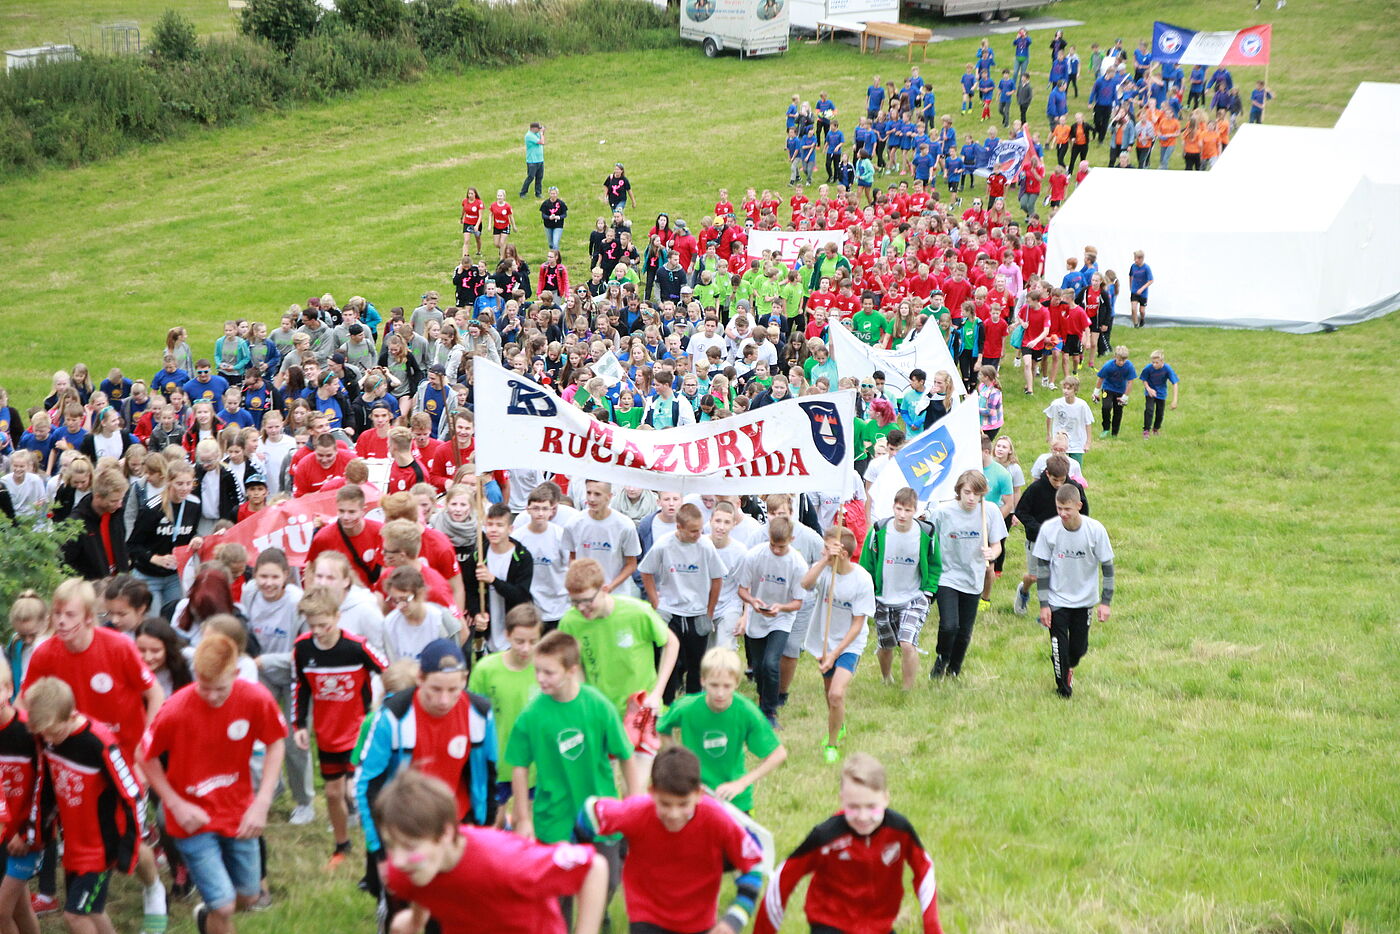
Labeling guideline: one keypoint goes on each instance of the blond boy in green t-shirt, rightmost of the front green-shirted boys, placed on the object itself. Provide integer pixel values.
(720, 725)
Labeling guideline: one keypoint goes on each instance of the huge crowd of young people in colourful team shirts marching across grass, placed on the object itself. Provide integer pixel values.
(467, 657)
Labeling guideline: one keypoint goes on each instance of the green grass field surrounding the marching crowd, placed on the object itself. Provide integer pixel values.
(1228, 761)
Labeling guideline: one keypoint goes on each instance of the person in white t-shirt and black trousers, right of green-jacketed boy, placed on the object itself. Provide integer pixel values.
(969, 536)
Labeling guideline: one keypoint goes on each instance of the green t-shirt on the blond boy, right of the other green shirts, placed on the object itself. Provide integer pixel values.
(719, 740)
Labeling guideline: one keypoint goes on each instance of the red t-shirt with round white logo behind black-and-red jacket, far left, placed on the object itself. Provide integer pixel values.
(108, 680)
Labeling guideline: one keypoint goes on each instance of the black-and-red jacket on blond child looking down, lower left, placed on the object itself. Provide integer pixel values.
(89, 785)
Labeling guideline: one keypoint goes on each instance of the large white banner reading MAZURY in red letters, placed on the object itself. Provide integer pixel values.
(799, 446)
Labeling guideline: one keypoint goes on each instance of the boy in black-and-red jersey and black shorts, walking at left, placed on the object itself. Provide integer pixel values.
(334, 684)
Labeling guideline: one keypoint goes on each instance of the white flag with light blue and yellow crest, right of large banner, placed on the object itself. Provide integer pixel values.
(932, 463)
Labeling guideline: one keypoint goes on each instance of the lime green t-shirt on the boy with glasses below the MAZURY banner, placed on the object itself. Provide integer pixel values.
(618, 650)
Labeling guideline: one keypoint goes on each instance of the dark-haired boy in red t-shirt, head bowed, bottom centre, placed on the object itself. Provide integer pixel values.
(680, 845)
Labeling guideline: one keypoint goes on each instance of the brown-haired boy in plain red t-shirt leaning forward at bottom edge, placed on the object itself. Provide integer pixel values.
(478, 880)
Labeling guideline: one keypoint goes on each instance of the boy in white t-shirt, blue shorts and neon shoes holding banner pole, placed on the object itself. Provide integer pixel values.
(846, 600)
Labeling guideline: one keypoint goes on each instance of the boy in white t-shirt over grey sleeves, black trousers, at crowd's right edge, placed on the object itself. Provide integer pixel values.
(1073, 550)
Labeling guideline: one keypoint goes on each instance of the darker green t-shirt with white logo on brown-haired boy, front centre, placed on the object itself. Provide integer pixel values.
(569, 744)
